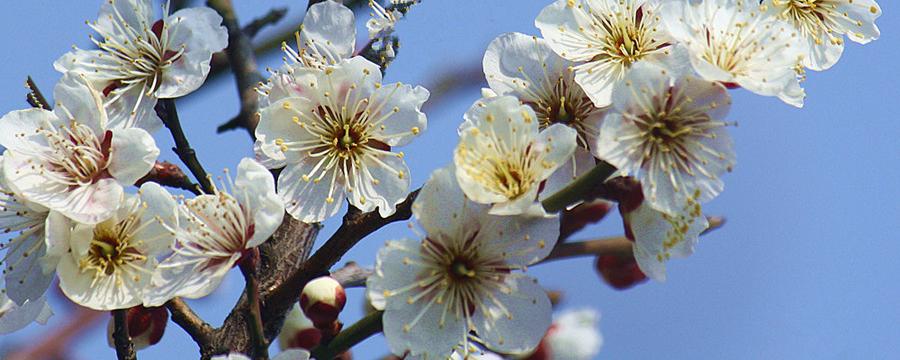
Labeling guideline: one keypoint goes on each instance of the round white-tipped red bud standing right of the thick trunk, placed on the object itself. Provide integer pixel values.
(322, 300)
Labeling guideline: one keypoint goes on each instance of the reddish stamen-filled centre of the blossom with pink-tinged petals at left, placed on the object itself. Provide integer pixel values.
(76, 156)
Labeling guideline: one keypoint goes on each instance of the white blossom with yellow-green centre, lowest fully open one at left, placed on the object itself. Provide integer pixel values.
(108, 266)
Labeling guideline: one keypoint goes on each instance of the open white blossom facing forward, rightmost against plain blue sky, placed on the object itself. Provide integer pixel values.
(668, 133)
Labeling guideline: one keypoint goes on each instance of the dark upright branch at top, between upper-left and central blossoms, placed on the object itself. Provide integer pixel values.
(243, 64)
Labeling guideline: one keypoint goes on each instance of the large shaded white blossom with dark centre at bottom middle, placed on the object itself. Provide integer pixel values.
(462, 277)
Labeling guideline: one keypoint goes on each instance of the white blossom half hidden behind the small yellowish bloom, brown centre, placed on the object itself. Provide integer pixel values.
(525, 67)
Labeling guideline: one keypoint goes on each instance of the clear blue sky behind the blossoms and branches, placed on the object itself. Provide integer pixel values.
(805, 268)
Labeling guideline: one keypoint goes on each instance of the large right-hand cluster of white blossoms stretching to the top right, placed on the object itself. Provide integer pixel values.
(640, 86)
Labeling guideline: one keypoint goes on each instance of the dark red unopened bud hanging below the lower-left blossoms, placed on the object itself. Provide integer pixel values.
(146, 326)
